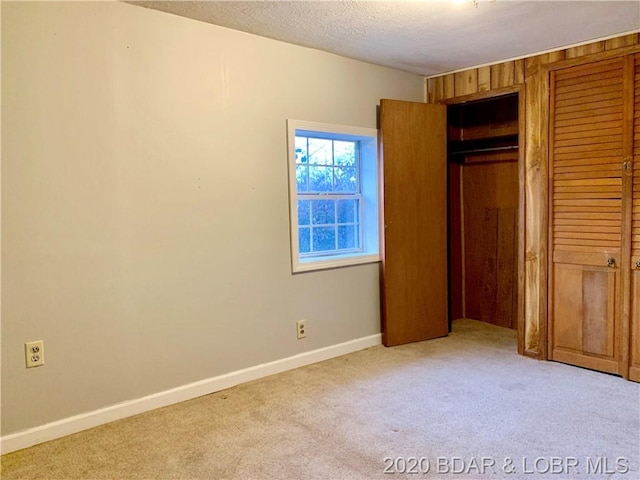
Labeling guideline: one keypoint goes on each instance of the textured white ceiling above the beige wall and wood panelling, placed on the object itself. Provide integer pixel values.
(426, 37)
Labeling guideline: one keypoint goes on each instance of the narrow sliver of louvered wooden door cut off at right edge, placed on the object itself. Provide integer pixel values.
(634, 351)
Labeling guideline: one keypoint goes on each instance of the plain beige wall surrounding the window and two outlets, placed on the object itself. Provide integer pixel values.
(145, 208)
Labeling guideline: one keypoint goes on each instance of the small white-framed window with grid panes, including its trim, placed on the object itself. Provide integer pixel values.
(333, 193)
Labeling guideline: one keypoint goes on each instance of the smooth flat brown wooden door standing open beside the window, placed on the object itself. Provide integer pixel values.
(414, 242)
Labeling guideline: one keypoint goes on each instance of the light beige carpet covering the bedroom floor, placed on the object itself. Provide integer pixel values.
(464, 407)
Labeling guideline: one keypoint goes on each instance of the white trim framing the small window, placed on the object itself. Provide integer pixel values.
(370, 254)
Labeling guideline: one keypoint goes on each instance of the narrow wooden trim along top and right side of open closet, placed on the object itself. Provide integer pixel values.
(520, 91)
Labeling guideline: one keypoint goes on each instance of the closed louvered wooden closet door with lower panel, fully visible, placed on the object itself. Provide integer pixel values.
(587, 149)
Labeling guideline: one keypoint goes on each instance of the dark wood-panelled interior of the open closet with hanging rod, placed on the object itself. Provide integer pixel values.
(483, 209)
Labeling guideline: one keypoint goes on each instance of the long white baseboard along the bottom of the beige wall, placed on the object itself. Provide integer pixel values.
(84, 421)
